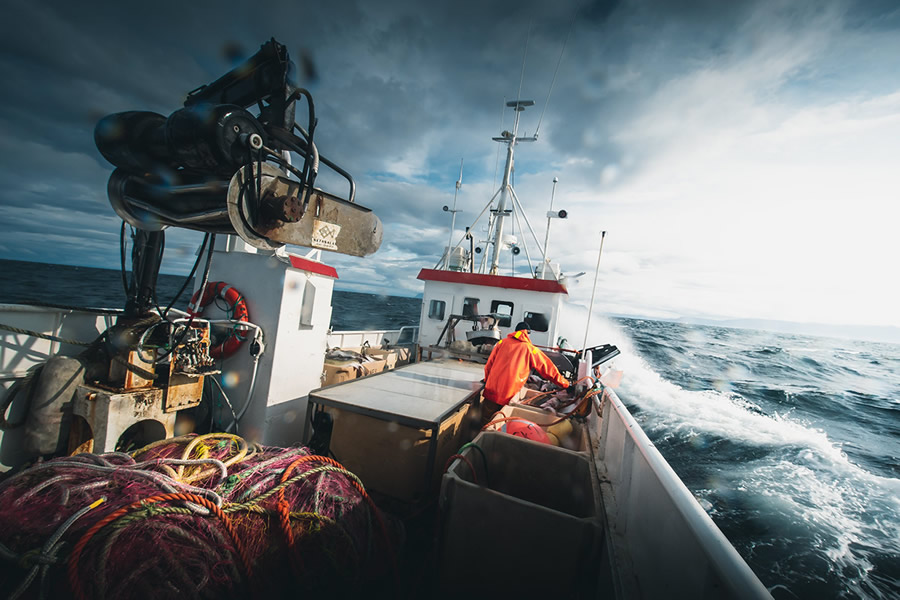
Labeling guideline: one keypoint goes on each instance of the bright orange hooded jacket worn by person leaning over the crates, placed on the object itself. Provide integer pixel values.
(510, 364)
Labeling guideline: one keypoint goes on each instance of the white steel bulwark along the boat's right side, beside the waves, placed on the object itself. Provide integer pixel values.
(669, 534)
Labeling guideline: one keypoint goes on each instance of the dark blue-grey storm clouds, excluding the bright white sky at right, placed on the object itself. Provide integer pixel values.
(403, 91)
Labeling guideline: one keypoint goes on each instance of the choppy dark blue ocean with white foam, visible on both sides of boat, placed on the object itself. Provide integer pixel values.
(791, 443)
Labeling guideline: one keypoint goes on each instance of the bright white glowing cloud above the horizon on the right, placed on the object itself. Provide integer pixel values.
(790, 223)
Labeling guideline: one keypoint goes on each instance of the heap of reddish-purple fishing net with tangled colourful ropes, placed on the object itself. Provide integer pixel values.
(196, 516)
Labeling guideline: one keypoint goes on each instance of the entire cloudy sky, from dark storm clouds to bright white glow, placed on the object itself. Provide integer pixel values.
(744, 157)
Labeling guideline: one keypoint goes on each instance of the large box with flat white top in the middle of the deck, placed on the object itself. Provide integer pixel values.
(396, 429)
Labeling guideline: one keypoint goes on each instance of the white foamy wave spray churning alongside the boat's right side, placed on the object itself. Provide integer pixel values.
(846, 513)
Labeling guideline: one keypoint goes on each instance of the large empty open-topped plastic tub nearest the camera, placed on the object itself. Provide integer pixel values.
(531, 512)
